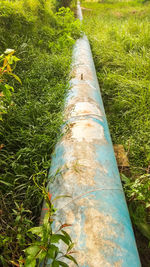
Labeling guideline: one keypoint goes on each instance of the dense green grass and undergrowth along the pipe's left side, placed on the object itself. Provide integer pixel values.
(42, 39)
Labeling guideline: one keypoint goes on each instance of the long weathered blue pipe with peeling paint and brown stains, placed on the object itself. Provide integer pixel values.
(85, 168)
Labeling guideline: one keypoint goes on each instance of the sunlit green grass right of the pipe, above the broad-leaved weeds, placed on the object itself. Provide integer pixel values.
(120, 42)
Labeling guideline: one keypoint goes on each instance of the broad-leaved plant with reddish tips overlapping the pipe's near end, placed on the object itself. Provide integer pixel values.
(44, 249)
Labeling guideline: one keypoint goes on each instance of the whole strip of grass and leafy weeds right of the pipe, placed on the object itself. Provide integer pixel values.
(119, 33)
